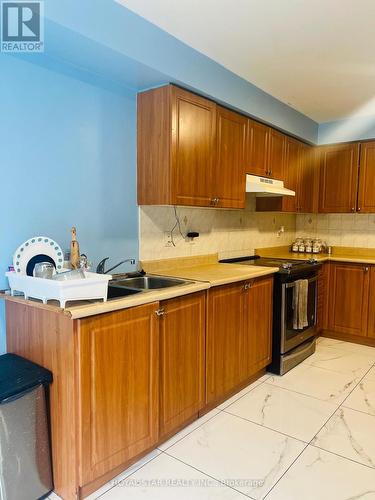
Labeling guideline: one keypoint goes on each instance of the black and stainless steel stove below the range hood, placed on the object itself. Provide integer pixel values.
(290, 345)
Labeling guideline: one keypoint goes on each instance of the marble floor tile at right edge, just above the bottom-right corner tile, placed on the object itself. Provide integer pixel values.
(349, 433)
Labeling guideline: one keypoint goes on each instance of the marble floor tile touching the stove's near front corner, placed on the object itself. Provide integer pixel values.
(320, 383)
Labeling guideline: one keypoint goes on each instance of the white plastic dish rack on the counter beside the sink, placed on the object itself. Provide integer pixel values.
(95, 286)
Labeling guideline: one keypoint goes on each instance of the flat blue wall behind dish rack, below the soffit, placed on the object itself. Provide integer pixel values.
(67, 158)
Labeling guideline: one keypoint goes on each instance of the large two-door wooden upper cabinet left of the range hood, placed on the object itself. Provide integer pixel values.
(190, 151)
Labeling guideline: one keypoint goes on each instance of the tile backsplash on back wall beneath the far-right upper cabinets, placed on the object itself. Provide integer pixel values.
(348, 230)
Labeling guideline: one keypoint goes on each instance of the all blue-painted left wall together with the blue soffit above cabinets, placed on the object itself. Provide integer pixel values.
(68, 125)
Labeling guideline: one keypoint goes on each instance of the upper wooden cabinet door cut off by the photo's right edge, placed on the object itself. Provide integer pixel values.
(366, 190)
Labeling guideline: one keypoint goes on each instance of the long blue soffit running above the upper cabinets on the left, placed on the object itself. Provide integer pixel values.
(149, 55)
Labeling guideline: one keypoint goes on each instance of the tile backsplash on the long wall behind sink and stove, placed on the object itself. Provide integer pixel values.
(227, 232)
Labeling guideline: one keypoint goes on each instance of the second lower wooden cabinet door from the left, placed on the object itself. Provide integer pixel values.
(182, 361)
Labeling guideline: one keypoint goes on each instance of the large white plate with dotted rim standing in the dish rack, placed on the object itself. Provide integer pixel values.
(38, 245)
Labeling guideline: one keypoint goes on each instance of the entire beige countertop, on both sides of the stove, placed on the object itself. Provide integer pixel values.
(204, 272)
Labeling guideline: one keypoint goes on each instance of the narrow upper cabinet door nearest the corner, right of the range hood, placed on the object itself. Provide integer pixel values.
(308, 180)
